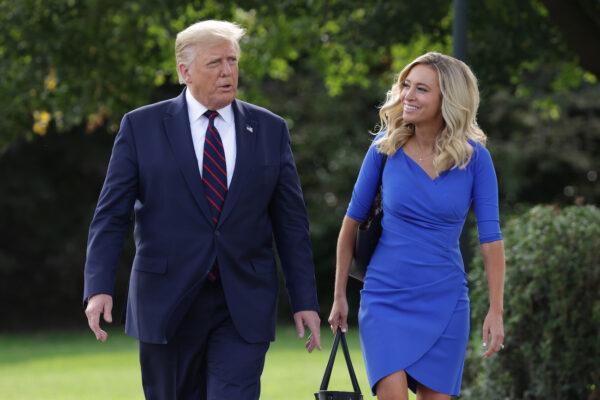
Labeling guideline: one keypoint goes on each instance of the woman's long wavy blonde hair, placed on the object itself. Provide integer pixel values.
(460, 100)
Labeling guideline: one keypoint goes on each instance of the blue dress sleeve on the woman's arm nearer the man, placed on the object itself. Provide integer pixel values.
(365, 187)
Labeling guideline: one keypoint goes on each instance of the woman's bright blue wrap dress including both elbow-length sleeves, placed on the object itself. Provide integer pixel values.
(414, 306)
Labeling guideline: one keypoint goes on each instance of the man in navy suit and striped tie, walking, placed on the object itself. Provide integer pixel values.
(210, 180)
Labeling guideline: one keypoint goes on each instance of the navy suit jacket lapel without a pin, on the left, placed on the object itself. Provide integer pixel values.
(177, 127)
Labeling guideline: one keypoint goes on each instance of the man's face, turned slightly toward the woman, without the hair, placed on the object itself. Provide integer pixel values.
(213, 76)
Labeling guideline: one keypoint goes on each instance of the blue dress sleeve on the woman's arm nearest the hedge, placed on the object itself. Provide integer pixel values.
(485, 195)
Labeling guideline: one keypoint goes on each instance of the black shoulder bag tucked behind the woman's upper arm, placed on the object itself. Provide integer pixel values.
(368, 233)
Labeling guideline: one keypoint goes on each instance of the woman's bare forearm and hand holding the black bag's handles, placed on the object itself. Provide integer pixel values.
(344, 252)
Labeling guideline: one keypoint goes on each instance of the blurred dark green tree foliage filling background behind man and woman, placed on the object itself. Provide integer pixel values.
(70, 69)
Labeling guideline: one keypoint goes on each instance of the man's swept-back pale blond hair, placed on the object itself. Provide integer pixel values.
(194, 38)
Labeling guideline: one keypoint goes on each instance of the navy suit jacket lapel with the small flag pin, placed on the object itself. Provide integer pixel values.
(246, 130)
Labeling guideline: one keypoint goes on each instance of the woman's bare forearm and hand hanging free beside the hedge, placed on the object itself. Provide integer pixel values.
(493, 325)
